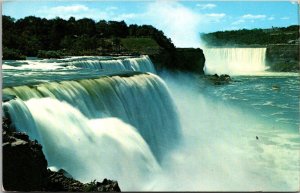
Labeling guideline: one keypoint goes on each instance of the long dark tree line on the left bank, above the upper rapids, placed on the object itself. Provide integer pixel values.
(33, 36)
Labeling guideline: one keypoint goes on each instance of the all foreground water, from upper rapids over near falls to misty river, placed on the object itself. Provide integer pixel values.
(179, 133)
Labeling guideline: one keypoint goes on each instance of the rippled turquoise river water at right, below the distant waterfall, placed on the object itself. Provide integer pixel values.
(273, 98)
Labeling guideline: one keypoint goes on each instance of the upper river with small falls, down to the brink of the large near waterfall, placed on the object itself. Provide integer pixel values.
(73, 68)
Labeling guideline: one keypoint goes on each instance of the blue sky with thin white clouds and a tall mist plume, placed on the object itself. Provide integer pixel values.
(182, 21)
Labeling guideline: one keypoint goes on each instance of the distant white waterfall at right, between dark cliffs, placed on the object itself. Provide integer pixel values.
(234, 61)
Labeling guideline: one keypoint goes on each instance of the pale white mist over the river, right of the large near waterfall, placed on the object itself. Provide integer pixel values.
(219, 150)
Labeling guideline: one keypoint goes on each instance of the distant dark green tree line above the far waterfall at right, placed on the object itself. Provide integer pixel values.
(284, 35)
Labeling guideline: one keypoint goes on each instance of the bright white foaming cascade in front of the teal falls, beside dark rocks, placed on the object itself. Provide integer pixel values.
(87, 148)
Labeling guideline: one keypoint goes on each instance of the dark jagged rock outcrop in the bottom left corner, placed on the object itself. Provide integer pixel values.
(25, 168)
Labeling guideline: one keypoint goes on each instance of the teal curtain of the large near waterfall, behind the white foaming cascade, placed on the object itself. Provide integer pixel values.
(142, 101)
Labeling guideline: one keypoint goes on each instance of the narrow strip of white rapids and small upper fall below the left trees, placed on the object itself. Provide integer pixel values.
(105, 64)
